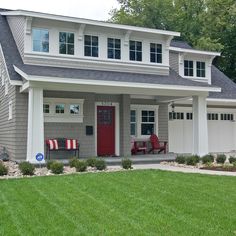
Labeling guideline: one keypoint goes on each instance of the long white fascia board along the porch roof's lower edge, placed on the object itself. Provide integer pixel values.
(122, 84)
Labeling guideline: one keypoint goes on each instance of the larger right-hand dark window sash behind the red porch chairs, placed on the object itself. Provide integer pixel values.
(147, 122)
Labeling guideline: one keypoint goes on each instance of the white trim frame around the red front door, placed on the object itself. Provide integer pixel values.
(117, 125)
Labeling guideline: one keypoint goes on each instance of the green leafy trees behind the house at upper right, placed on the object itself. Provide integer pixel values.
(205, 24)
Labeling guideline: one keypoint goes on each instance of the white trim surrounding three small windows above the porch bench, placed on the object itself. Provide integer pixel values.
(66, 117)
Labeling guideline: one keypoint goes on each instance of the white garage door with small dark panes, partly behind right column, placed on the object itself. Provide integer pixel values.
(221, 131)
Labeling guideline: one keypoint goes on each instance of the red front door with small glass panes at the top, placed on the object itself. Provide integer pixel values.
(105, 131)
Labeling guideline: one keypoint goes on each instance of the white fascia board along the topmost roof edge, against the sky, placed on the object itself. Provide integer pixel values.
(88, 22)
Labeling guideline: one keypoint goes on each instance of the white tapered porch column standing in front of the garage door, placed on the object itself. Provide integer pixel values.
(200, 130)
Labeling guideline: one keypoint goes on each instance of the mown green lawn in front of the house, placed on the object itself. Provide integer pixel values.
(146, 202)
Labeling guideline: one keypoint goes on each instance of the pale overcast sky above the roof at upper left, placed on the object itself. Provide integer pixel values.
(90, 9)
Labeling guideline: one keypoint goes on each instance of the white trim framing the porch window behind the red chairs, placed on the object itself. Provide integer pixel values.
(138, 108)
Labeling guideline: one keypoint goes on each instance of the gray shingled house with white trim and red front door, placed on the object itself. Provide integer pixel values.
(61, 76)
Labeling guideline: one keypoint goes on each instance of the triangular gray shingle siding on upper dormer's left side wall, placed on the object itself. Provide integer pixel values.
(17, 26)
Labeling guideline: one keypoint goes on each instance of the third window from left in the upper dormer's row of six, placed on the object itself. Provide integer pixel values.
(91, 46)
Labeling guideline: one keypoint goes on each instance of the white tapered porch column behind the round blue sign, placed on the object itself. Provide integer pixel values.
(35, 138)
